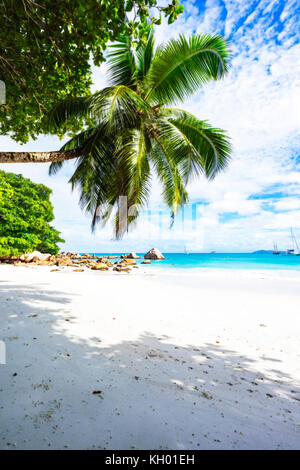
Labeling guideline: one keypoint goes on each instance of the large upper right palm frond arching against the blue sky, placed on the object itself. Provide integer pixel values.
(182, 66)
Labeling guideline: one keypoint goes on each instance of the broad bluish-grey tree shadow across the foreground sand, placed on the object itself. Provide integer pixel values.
(61, 391)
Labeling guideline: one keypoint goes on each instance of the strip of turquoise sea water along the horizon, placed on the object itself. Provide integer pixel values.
(224, 261)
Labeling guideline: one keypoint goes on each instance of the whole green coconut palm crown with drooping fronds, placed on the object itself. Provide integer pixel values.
(139, 129)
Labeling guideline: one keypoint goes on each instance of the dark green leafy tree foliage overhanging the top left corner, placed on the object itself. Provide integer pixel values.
(46, 47)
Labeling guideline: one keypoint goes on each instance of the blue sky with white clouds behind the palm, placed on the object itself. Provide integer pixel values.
(257, 199)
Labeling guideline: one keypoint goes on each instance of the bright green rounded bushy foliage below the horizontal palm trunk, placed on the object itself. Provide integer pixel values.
(25, 216)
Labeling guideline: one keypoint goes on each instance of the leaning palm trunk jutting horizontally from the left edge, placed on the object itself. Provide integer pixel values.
(38, 157)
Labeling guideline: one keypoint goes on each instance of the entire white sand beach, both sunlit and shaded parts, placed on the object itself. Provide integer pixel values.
(205, 360)
